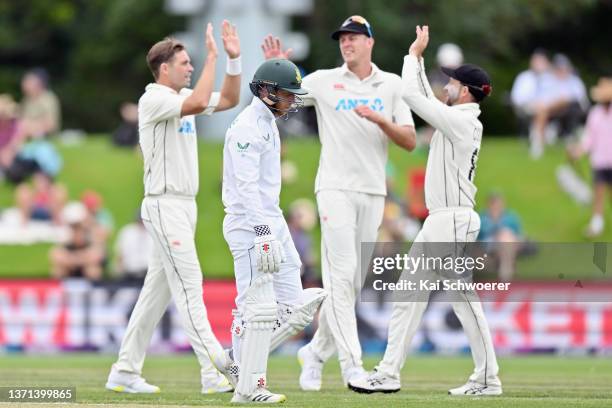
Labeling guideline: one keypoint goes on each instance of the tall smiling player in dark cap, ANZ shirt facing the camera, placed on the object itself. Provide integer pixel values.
(359, 108)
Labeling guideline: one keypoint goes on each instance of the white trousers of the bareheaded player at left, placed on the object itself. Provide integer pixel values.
(174, 273)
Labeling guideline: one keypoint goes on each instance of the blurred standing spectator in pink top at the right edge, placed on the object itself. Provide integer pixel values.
(597, 142)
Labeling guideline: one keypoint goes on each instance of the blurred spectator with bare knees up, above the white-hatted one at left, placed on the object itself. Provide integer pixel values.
(43, 201)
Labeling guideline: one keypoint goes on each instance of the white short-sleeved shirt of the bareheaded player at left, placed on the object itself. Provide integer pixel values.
(169, 142)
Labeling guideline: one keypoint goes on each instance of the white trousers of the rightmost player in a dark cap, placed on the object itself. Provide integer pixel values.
(456, 224)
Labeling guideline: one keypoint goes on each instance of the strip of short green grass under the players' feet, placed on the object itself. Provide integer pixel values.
(536, 381)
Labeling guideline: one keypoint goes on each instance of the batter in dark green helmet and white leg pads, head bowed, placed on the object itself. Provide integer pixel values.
(271, 304)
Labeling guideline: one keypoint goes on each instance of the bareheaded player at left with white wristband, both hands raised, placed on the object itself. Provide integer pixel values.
(168, 141)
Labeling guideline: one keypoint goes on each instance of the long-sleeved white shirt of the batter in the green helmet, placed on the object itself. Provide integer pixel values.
(251, 166)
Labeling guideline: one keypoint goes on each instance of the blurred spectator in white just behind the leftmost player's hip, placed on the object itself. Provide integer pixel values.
(132, 250)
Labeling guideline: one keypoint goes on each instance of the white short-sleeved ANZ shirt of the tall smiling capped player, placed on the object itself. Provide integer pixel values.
(353, 149)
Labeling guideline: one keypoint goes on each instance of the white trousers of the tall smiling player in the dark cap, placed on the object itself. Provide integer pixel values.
(348, 218)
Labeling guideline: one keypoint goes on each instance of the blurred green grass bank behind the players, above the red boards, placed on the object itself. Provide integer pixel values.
(530, 187)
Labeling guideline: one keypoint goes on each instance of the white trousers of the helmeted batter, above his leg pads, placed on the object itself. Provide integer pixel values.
(239, 237)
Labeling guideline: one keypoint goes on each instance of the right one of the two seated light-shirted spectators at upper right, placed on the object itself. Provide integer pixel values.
(565, 103)
